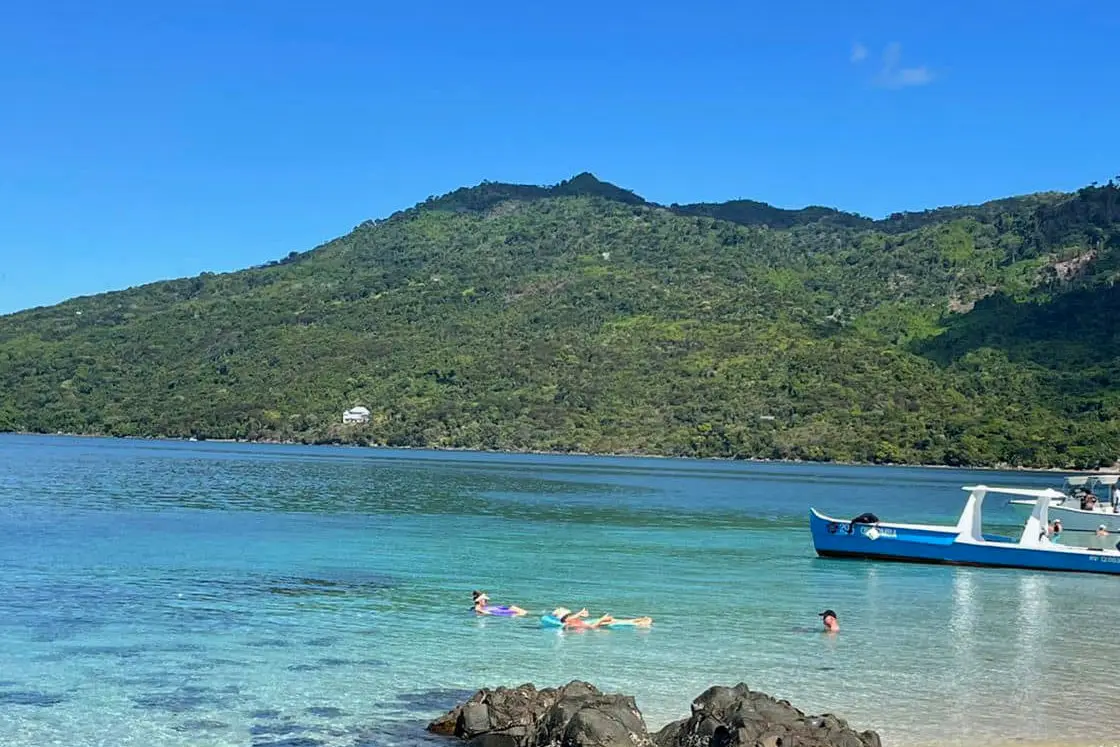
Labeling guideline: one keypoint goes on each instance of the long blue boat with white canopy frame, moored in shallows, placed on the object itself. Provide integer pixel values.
(964, 545)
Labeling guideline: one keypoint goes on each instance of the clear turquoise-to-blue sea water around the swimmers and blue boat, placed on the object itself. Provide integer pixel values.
(221, 594)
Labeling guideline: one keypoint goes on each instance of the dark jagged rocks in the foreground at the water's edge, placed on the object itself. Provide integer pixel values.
(578, 715)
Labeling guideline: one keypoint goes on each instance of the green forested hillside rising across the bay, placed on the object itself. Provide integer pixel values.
(582, 318)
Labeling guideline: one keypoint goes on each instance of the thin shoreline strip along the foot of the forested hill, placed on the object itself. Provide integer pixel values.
(632, 455)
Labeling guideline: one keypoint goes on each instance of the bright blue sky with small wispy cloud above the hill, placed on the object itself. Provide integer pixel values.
(150, 141)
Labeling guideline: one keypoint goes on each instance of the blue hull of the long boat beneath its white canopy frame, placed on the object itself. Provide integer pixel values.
(941, 546)
